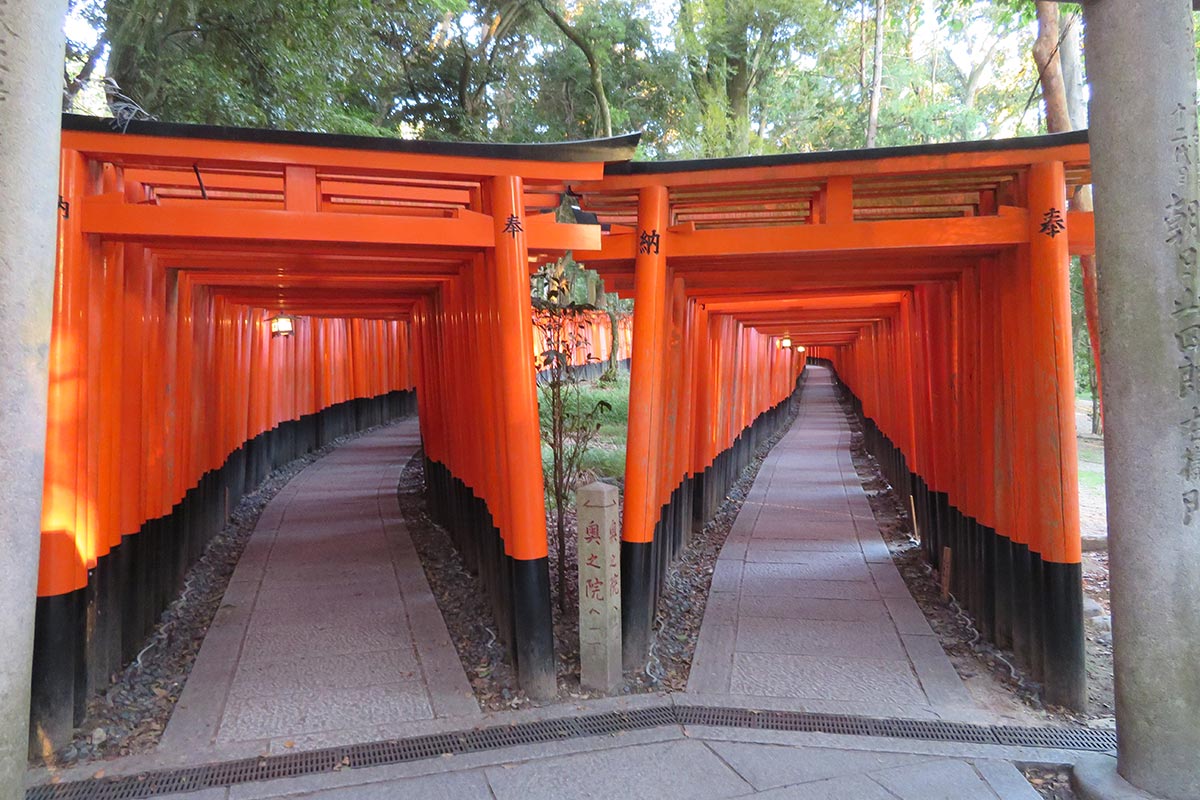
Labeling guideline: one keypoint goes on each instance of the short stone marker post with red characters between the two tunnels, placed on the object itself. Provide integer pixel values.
(599, 552)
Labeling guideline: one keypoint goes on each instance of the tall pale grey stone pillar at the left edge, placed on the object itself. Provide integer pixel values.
(31, 103)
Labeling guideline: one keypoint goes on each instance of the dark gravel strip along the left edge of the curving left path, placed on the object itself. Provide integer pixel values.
(130, 717)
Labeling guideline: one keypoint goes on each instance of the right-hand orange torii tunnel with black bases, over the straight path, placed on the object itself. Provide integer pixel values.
(935, 280)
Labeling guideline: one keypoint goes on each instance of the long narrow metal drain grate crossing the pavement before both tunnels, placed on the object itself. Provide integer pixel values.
(436, 745)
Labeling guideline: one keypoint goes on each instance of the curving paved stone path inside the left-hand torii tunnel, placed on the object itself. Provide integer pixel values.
(328, 633)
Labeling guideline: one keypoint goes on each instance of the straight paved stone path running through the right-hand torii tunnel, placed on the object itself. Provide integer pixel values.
(806, 601)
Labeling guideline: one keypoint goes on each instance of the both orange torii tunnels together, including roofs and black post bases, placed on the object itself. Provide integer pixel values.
(934, 280)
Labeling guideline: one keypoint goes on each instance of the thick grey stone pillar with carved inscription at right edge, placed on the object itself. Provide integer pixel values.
(1142, 65)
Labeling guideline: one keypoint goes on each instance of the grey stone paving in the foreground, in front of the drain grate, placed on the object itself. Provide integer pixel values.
(675, 765)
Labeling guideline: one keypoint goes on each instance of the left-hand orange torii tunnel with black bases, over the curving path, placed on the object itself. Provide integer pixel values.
(407, 266)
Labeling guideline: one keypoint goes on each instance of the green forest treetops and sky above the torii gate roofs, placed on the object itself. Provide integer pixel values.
(699, 77)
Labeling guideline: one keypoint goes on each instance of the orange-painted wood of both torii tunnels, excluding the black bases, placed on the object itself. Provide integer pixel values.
(929, 281)
